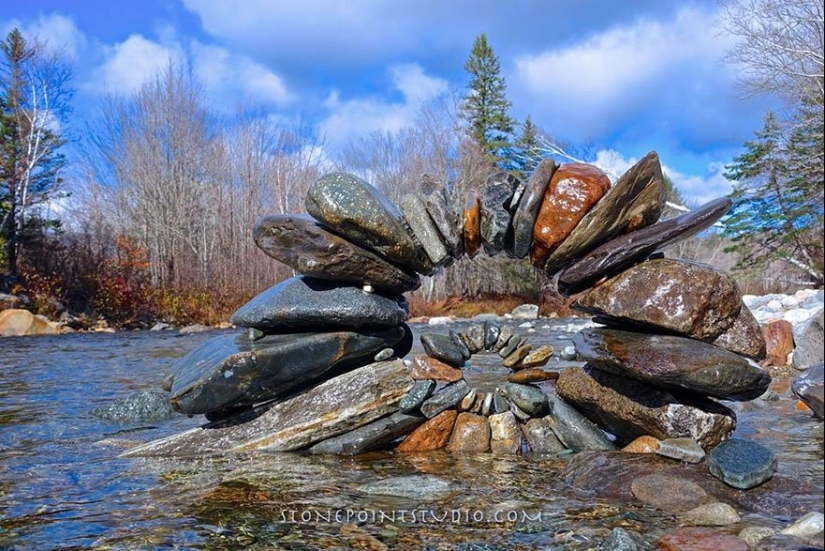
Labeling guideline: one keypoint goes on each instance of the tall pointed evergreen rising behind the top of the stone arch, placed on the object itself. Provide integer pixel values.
(485, 106)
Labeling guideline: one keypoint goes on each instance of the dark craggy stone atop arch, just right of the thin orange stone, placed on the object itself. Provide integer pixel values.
(496, 216)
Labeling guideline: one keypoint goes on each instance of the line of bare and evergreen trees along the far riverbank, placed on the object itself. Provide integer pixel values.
(165, 192)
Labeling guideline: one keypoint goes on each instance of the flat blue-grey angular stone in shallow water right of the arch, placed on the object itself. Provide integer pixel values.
(741, 463)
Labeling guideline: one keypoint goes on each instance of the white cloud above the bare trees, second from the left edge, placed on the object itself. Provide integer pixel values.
(131, 63)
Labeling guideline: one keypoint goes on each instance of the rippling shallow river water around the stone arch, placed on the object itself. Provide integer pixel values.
(64, 486)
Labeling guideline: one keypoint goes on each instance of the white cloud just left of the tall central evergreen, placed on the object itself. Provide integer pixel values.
(359, 117)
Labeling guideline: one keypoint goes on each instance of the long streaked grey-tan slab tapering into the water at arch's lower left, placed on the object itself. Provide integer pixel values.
(331, 408)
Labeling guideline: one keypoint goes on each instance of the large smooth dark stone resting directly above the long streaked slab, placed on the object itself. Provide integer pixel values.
(229, 370)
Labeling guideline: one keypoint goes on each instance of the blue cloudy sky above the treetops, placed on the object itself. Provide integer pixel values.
(619, 78)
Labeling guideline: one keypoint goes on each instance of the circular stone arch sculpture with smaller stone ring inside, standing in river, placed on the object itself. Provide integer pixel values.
(320, 367)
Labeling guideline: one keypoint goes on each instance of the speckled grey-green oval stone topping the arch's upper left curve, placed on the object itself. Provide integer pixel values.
(354, 209)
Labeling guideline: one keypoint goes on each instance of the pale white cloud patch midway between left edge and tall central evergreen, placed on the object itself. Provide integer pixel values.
(234, 78)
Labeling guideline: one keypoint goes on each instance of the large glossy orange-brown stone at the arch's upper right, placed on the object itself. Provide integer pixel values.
(574, 189)
